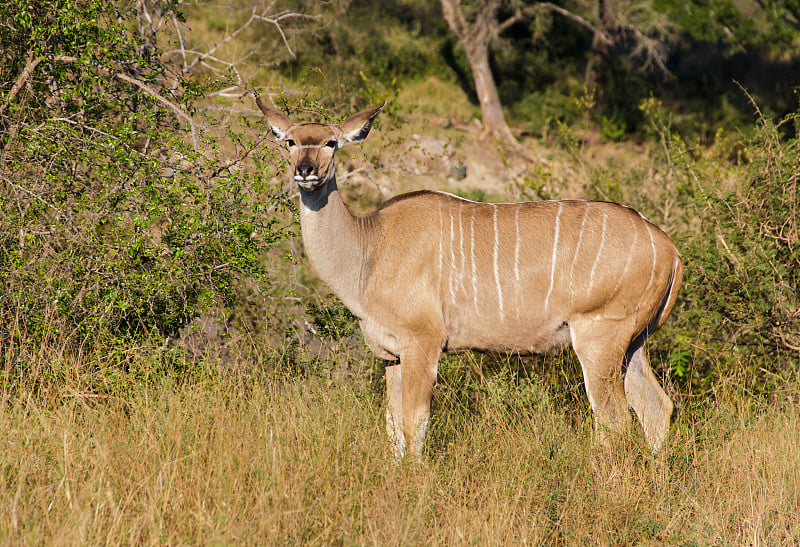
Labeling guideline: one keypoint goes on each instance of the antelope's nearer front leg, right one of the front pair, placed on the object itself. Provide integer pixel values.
(419, 364)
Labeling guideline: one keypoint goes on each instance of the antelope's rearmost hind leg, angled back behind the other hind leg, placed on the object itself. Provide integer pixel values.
(652, 406)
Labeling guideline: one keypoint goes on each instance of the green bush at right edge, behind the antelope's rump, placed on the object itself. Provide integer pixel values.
(739, 307)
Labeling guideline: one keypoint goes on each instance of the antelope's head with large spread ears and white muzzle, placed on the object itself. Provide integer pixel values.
(312, 146)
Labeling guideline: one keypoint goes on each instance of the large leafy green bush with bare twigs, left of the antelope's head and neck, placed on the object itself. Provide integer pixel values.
(120, 213)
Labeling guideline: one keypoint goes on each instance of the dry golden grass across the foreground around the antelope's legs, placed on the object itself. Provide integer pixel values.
(259, 456)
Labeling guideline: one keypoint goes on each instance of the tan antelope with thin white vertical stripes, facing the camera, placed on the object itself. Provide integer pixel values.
(431, 272)
